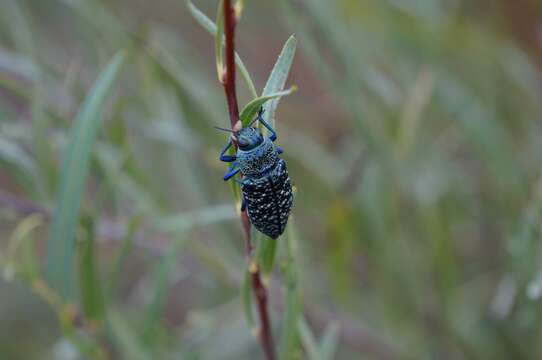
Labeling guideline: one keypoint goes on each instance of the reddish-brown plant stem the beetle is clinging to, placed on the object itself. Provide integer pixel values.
(258, 288)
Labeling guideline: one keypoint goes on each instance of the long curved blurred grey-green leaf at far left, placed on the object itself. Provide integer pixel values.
(73, 175)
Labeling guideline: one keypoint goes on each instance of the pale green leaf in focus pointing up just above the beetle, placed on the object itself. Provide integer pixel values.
(278, 77)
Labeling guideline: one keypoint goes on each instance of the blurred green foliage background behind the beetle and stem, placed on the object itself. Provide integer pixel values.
(414, 141)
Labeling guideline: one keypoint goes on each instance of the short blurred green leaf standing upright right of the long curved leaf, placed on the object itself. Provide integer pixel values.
(91, 295)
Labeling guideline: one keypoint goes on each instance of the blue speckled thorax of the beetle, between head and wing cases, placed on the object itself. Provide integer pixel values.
(255, 162)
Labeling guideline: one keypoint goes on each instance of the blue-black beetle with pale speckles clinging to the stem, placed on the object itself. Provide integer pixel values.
(265, 184)
